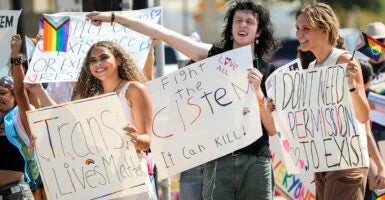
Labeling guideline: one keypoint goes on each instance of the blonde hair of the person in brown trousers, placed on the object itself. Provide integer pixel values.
(321, 16)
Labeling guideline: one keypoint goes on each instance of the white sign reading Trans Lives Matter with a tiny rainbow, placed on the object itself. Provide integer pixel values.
(83, 152)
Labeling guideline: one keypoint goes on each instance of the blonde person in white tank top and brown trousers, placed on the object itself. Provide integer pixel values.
(317, 31)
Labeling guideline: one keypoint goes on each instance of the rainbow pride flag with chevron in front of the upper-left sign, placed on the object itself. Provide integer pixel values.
(56, 31)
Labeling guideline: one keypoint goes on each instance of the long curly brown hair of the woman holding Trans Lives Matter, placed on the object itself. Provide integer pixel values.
(88, 85)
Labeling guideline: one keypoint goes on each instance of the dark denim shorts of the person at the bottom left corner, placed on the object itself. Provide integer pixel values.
(18, 190)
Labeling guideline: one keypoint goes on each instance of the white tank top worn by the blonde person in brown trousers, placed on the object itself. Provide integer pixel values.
(332, 60)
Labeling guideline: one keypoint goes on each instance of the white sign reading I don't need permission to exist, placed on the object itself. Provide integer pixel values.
(316, 120)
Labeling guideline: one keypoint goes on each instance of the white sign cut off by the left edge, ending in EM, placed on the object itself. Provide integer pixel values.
(8, 28)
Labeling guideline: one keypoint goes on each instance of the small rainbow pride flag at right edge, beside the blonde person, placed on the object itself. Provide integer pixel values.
(369, 46)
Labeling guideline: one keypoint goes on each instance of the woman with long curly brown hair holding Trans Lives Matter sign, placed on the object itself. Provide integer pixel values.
(108, 68)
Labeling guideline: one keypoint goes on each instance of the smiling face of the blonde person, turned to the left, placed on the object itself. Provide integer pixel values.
(309, 38)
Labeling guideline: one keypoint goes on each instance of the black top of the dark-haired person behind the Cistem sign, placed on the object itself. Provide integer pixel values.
(261, 146)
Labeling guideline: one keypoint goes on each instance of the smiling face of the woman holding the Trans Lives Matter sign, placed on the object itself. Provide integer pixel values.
(103, 64)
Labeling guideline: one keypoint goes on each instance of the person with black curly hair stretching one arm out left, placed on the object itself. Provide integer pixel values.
(248, 169)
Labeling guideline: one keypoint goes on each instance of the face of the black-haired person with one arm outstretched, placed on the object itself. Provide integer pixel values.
(244, 28)
